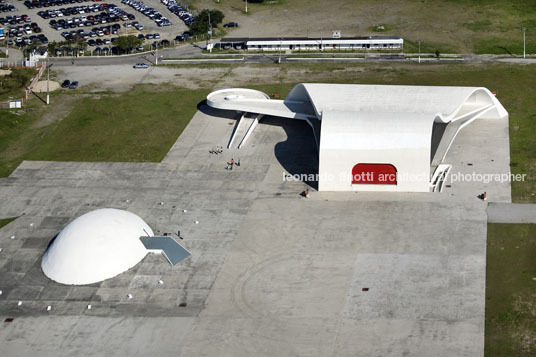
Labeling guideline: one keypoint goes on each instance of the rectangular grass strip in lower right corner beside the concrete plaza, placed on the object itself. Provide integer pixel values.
(510, 290)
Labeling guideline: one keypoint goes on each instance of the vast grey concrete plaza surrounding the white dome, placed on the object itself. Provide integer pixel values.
(271, 273)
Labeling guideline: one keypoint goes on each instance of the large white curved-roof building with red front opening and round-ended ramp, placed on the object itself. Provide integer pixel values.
(374, 137)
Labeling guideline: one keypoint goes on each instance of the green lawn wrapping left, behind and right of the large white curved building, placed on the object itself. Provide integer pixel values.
(143, 124)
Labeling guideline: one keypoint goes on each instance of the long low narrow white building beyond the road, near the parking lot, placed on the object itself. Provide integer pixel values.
(309, 44)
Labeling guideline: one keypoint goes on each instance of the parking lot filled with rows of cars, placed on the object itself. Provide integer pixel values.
(92, 20)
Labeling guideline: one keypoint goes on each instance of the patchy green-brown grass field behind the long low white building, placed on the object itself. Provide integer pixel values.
(451, 26)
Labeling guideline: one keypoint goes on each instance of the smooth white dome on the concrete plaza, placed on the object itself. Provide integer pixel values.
(96, 246)
